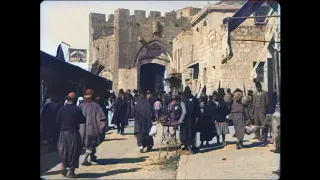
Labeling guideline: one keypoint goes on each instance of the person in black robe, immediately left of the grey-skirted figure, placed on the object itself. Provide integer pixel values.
(205, 123)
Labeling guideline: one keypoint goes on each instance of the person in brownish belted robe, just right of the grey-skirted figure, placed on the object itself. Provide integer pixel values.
(238, 117)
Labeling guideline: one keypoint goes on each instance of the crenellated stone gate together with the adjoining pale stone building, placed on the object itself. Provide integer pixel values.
(139, 52)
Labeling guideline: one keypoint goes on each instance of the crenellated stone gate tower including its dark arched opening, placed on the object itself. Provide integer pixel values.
(126, 43)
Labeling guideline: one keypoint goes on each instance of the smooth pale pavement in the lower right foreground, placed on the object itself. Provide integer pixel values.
(255, 161)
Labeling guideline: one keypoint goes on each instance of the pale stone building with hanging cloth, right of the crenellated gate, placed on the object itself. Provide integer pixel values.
(200, 53)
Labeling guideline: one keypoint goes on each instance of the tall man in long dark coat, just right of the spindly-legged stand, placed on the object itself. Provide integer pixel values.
(188, 128)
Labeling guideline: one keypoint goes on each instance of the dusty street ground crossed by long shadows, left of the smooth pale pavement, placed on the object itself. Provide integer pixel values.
(119, 158)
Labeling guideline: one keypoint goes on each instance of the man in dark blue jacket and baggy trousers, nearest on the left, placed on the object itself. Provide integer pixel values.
(70, 117)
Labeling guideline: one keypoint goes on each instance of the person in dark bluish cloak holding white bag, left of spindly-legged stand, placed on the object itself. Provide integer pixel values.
(143, 114)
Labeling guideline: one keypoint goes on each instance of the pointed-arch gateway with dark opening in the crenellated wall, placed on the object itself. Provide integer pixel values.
(153, 65)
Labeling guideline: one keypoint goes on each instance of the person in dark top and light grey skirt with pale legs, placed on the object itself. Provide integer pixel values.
(220, 113)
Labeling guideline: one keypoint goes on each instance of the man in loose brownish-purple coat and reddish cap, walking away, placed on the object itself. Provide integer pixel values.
(92, 133)
